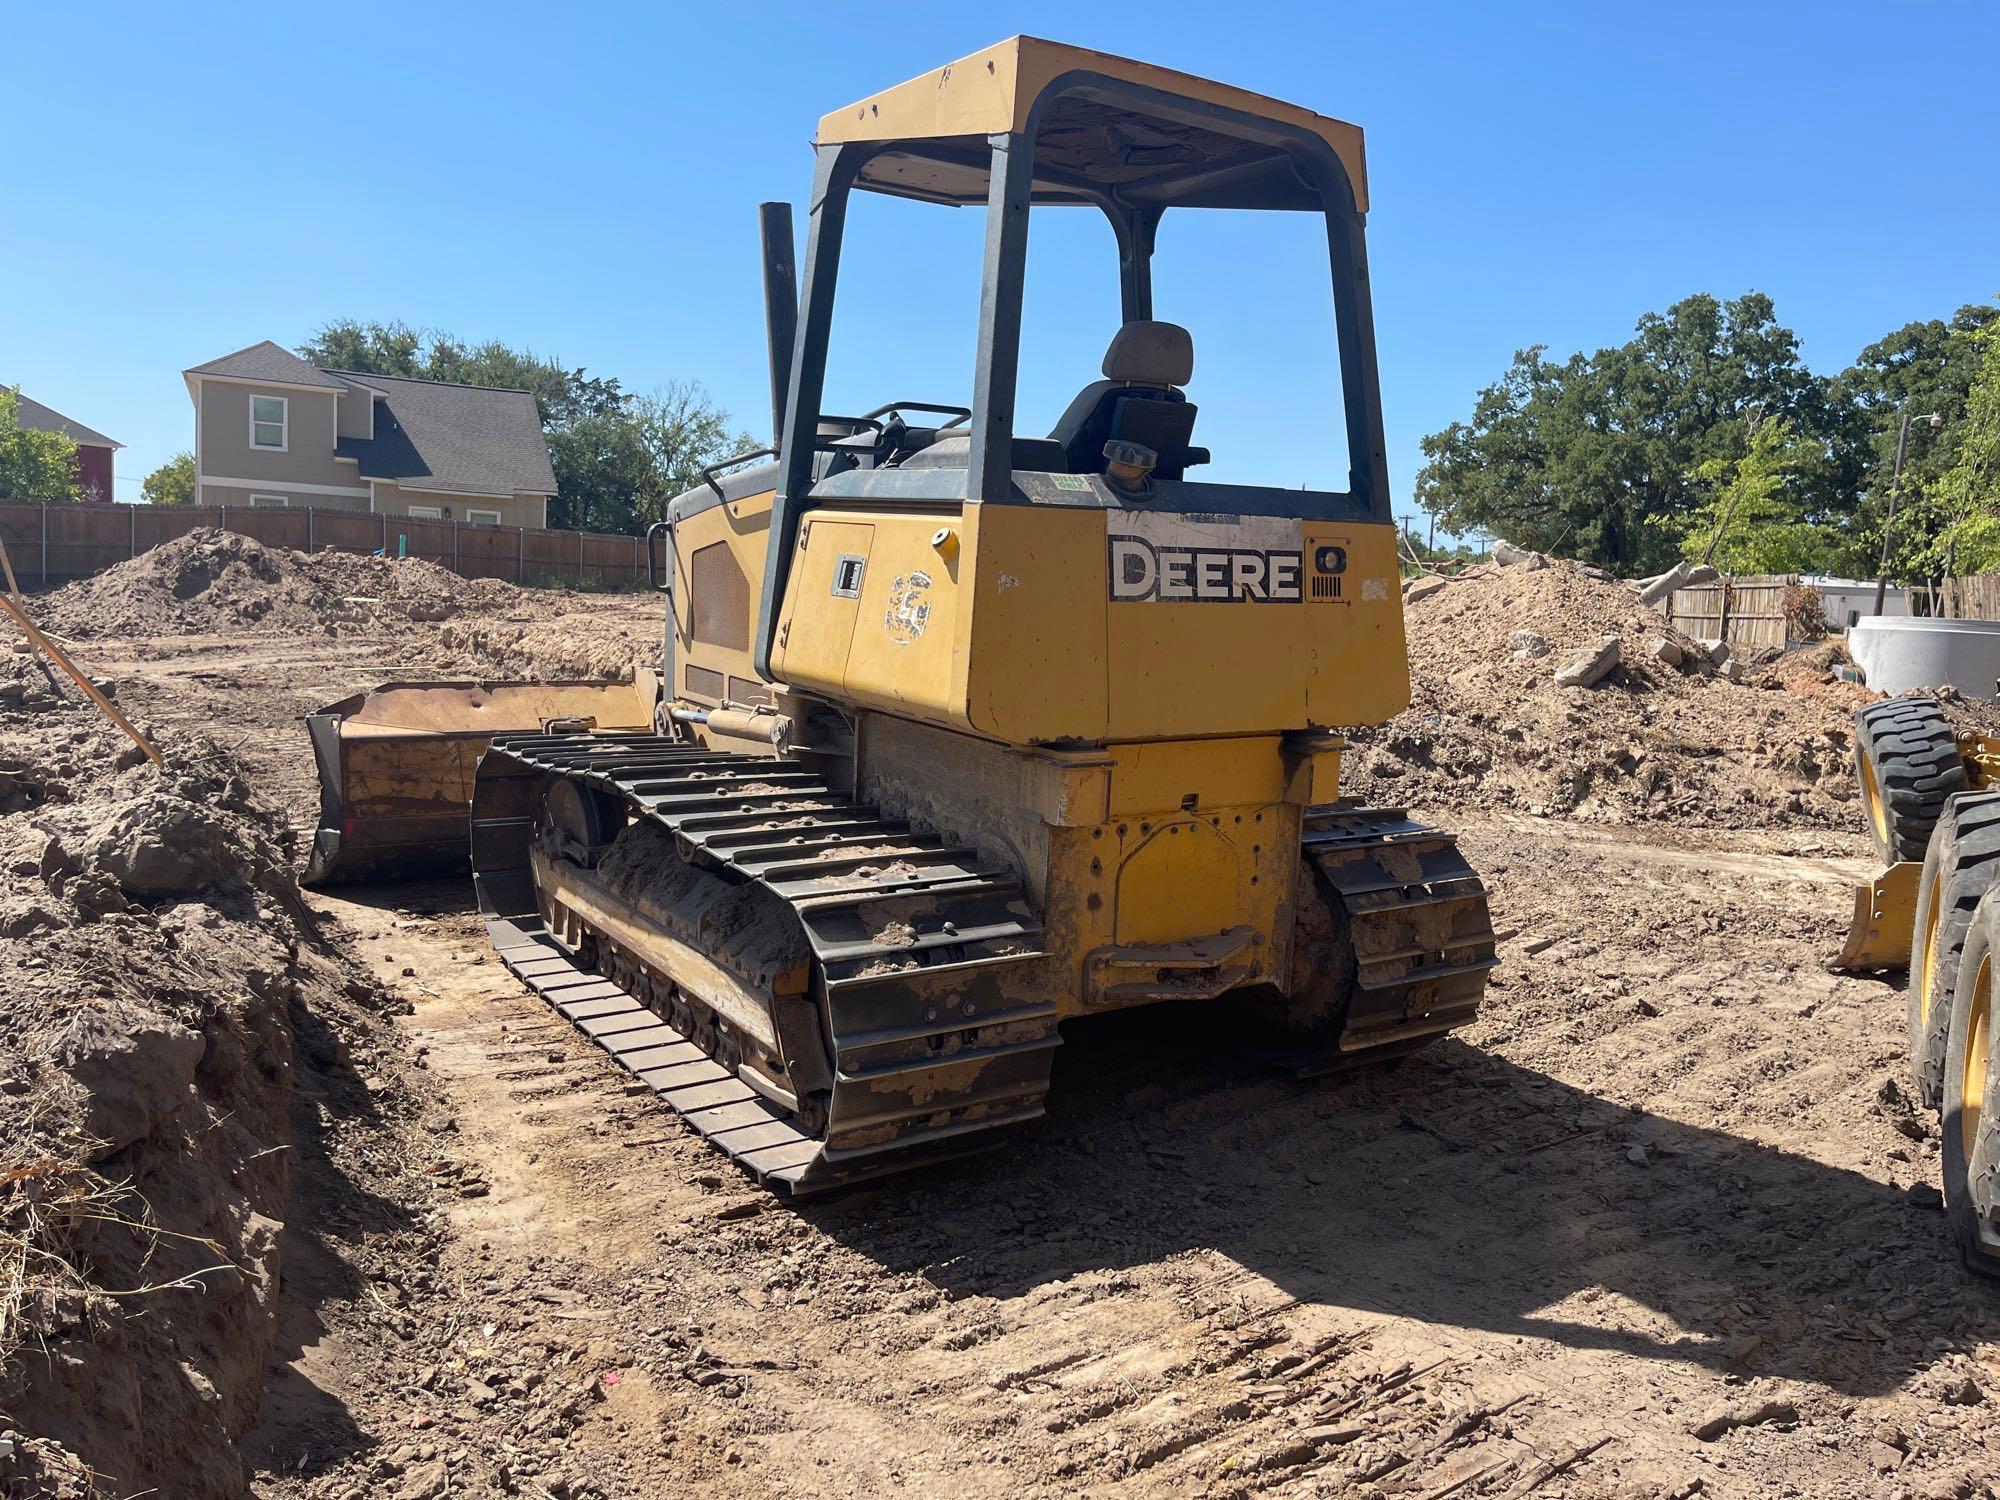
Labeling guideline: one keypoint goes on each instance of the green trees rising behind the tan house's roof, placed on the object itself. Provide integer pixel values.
(619, 459)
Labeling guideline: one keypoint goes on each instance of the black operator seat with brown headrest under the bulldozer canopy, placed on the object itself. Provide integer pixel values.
(1139, 401)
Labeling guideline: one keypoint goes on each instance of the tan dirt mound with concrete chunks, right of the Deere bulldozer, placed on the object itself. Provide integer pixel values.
(1655, 739)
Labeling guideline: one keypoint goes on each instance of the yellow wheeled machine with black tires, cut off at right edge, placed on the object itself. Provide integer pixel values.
(1933, 805)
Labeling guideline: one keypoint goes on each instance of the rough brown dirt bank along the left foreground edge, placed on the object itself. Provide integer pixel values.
(155, 963)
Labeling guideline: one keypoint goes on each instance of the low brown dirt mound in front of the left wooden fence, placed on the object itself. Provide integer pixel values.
(219, 583)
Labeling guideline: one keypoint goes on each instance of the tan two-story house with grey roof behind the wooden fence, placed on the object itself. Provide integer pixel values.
(275, 431)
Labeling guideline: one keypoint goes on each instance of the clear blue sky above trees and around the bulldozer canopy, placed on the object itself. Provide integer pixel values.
(583, 181)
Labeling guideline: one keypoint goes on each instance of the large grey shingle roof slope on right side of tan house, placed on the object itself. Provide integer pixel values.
(457, 439)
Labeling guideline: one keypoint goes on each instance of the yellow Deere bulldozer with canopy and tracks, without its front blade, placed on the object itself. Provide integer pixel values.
(969, 733)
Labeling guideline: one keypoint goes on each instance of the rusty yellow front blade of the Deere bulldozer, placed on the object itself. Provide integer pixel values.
(397, 765)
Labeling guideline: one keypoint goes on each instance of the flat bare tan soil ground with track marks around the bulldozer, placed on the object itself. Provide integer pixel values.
(1661, 1225)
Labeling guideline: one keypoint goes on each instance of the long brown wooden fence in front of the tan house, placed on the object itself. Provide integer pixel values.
(55, 545)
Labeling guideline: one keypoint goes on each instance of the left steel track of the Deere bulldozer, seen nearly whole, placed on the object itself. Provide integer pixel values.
(929, 1055)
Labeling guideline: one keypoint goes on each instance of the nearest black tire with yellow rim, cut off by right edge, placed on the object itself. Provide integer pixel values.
(1973, 1173)
